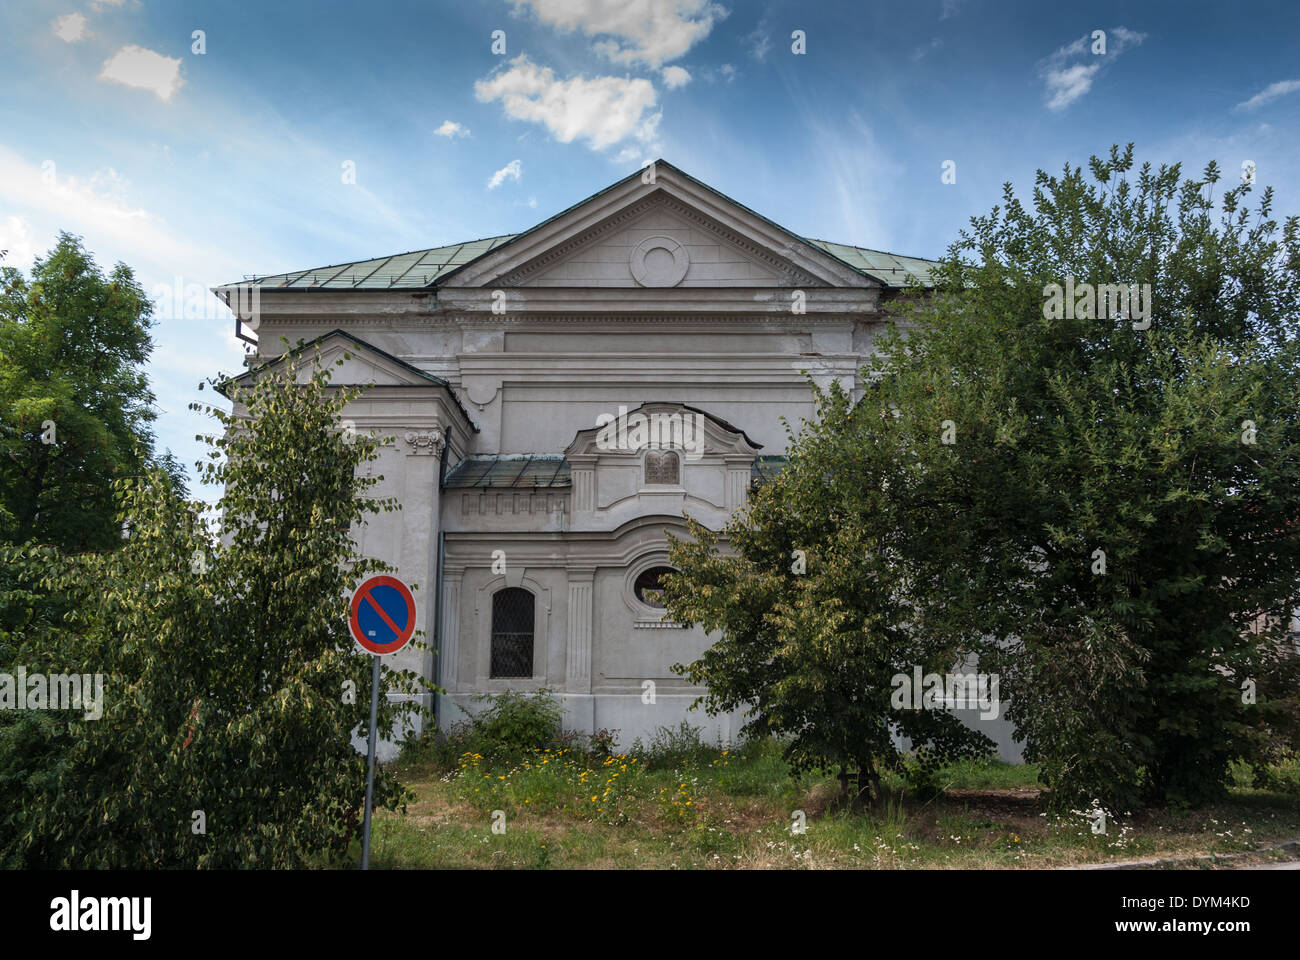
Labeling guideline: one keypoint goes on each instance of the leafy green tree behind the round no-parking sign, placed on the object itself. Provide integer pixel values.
(232, 685)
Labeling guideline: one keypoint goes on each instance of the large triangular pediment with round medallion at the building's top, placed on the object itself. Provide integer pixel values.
(661, 231)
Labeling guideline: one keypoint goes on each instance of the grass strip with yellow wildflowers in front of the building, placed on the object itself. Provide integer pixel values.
(682, 807)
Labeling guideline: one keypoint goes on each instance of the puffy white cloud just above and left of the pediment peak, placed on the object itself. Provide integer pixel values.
(603, 110)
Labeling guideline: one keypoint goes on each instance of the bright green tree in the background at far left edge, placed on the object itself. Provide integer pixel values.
(76, 409)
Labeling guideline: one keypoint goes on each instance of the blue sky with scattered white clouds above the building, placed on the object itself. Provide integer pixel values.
(201, 168)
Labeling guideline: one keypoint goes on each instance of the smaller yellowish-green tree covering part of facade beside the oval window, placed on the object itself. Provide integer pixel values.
(814, 613)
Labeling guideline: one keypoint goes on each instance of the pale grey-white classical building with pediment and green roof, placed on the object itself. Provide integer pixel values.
(532, 539)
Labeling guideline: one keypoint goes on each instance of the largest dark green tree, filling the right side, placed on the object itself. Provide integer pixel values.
(1102, 504)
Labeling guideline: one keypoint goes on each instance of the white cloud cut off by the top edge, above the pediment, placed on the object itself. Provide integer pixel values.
(648, 32)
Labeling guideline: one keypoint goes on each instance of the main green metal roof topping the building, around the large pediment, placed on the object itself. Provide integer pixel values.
(422, 269)
